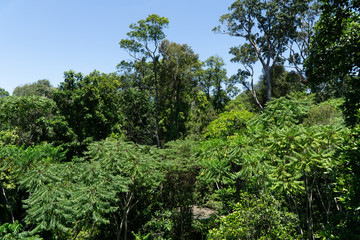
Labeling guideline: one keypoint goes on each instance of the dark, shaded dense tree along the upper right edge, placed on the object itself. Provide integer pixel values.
(333, 66)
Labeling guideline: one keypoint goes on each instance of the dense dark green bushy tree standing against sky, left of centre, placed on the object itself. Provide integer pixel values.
(90, 105)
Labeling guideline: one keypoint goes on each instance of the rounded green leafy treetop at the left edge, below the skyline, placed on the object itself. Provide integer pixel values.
(31, 119)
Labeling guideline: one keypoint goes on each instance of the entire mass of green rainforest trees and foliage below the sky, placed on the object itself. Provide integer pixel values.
(171, 147)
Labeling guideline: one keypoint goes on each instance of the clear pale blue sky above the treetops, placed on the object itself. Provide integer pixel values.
(40, 39)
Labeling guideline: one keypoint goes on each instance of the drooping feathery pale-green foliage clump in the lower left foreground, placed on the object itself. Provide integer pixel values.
(69, 198)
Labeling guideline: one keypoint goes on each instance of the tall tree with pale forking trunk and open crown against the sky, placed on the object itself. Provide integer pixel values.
(267, 27)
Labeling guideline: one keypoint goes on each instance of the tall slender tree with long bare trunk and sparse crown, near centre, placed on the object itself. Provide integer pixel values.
(144, 40)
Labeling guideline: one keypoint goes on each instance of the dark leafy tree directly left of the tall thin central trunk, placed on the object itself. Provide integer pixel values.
(137, 101)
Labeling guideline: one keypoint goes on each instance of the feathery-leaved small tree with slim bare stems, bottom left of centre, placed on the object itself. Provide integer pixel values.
(141, 172)
